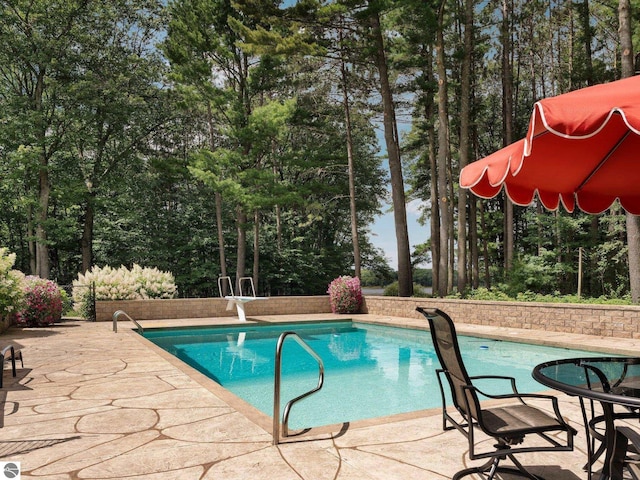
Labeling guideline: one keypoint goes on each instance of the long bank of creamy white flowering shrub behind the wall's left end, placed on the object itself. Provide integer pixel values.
(122, 284)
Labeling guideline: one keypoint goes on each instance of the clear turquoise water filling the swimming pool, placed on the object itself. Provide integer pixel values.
(370, 370)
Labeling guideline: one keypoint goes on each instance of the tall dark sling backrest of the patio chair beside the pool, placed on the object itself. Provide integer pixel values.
(445, 342)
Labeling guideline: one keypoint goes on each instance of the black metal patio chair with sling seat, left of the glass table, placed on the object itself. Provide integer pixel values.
(508, 425)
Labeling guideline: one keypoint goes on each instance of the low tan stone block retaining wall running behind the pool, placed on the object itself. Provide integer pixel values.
(602, 320)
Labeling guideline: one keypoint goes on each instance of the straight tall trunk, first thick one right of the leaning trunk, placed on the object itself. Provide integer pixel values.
(443, 157)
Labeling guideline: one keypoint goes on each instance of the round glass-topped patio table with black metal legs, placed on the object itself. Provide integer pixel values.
(611, 381)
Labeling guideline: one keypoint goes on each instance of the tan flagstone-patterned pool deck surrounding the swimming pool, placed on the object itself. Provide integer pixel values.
(94, 404)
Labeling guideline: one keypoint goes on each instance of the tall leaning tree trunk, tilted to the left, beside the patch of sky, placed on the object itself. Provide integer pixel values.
(405, 276)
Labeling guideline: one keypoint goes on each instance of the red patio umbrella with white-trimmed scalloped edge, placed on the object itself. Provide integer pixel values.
(582, 148)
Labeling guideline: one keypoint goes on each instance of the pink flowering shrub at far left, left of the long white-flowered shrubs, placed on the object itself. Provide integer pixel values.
(42, 304)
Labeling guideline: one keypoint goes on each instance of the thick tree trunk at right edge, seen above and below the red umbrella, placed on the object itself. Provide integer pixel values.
(633, 221)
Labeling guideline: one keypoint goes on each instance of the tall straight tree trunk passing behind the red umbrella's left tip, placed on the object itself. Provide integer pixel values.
(465, 121)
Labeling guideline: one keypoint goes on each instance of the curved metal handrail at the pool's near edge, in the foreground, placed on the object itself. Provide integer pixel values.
(277, 381)
